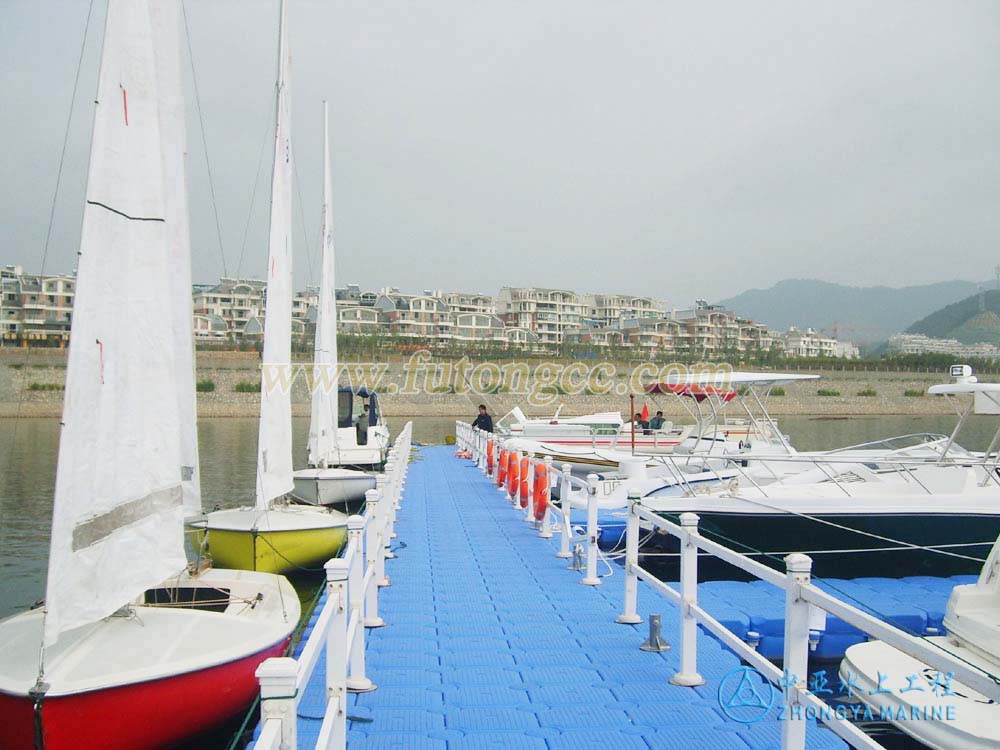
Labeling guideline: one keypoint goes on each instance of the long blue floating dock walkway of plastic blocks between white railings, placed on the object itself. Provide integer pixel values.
(491, 644)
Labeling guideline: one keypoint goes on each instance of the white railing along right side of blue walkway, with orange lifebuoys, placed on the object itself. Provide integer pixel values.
(801, 596)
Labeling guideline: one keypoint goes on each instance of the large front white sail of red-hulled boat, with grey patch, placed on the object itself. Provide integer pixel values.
(117, 526)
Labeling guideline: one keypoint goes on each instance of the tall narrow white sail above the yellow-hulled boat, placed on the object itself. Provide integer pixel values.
(274, 441)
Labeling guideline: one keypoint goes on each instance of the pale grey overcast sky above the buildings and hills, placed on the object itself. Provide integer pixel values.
(664, 148)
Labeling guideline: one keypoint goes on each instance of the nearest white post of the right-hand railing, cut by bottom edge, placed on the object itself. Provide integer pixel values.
(798, 568)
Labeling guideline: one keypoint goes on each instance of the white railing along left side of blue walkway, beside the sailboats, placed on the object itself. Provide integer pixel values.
(352, 584)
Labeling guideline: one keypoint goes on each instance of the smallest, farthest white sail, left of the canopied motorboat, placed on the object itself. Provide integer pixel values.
(323, 425)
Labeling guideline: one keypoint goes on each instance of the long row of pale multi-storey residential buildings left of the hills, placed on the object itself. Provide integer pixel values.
(37, 310)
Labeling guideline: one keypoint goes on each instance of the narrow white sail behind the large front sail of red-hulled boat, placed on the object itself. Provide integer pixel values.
(167, 45)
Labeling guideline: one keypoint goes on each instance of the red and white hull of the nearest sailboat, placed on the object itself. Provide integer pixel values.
(111, 681)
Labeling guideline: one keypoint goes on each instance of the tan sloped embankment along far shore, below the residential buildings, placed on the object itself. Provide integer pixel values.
(31, 383)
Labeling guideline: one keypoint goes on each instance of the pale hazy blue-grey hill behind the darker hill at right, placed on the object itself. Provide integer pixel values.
(864, 315)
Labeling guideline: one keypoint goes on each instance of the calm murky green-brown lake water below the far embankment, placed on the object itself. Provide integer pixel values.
(28, 450)
